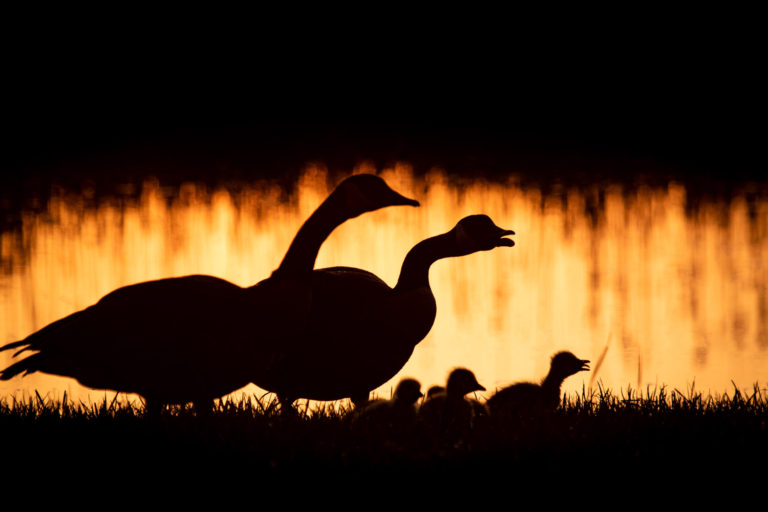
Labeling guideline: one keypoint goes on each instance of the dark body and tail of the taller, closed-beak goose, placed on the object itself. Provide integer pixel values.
(192, 352)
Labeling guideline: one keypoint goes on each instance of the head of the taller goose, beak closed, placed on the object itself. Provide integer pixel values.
(366, 192)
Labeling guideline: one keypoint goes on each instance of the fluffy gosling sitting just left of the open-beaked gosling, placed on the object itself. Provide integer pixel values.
(450, 411)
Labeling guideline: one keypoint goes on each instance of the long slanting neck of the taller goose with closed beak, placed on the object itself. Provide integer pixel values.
(306, 244)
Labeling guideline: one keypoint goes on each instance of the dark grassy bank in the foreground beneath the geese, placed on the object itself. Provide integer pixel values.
(659, 438)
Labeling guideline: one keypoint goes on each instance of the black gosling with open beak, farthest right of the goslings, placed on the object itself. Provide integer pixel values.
(527, 397)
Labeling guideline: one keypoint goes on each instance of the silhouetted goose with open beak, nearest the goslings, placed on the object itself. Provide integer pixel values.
(361, 332)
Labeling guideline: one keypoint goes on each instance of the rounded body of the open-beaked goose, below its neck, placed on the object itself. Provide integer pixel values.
(348, 356)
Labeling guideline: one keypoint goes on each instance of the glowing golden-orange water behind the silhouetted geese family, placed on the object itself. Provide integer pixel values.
(676, 298)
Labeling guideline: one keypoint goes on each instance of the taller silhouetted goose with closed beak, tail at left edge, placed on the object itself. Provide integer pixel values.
(194, 338)
